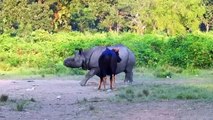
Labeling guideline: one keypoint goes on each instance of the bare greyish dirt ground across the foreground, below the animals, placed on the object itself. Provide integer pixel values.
(62, 98)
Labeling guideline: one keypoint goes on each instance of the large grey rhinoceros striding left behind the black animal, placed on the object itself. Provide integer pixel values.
(88, 60)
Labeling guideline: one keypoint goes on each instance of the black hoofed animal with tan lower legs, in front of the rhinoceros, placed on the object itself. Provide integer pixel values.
(108, 65)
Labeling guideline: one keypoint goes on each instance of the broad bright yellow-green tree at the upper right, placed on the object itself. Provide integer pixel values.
(172, 17)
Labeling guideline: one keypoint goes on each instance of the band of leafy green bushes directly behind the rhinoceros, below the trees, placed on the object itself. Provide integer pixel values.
(45, 52)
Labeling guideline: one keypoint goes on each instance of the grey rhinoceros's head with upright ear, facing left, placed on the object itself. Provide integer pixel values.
(76, 61)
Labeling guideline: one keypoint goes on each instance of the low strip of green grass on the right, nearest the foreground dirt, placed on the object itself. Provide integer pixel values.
(148, 92)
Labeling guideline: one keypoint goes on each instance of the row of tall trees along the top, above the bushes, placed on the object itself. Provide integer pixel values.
(169, 17)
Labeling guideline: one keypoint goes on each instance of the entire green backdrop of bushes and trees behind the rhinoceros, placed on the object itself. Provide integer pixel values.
(36, 35)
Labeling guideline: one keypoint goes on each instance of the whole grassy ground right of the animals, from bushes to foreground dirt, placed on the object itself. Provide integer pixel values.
(181, 86)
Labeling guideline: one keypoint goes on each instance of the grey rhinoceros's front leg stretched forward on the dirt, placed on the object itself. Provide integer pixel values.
(90, 74)
